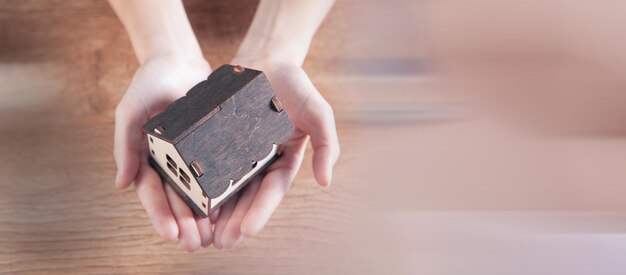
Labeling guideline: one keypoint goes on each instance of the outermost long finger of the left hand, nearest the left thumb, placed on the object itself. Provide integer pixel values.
(150, 191)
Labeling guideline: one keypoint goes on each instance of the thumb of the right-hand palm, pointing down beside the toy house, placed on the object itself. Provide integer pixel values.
(324, 140)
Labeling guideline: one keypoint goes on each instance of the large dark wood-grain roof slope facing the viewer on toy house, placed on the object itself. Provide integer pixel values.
(243, 131)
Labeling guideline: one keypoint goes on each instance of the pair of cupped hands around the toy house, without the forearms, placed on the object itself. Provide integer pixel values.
(161, 80)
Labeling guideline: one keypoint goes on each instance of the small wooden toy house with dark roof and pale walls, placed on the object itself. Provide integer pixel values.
(211, 142)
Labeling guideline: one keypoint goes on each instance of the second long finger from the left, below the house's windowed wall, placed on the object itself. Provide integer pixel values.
(188, 229)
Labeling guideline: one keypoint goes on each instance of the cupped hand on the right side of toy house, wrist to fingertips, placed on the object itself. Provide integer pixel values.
(312, 117)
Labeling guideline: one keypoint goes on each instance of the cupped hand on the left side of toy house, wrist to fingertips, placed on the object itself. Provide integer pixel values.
(156, 84)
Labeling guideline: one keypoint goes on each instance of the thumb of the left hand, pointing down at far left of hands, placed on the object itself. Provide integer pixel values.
(127, 144)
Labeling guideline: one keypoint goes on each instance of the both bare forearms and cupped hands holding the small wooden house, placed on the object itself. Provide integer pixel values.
(281, 30)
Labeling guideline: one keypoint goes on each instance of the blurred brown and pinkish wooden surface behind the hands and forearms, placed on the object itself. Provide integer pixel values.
(478, 137)
